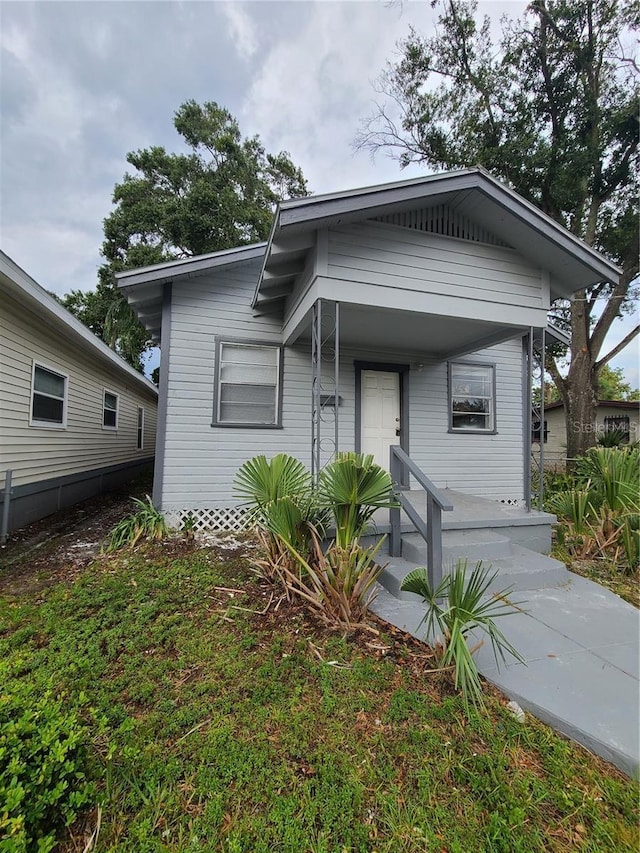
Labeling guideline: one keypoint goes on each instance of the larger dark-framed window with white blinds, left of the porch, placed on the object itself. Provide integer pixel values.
(248, 384)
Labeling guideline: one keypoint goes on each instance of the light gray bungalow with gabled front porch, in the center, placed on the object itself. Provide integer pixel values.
(398, 314)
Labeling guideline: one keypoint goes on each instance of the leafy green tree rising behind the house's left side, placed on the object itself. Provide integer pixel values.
(218, 194)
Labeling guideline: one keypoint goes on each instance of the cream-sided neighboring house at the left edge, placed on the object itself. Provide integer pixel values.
(75, 419)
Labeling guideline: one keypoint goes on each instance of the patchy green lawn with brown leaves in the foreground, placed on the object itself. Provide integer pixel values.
(230, 721)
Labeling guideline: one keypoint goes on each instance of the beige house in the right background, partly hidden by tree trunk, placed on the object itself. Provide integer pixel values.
(618, 415)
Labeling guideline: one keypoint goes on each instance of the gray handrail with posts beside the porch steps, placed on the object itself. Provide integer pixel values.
(431, 531)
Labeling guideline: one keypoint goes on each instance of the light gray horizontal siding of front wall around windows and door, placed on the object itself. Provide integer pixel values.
(201, 461)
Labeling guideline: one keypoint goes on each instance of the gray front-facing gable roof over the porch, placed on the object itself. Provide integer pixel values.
(473, 193)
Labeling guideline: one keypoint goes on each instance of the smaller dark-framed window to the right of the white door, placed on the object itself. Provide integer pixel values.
(472, 397)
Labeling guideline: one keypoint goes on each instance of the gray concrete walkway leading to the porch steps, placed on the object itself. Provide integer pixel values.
(581, 647)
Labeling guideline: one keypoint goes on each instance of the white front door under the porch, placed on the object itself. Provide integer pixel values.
(379, 414)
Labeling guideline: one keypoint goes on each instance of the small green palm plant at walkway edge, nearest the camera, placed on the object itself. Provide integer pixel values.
(461, 603)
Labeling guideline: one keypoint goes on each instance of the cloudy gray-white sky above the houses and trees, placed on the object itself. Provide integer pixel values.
(84, 83)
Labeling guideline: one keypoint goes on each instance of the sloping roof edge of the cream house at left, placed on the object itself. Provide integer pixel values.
(15, 281)
